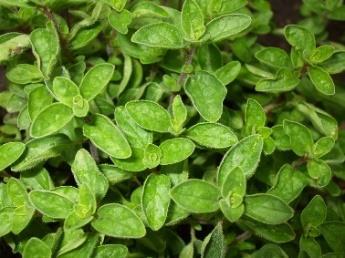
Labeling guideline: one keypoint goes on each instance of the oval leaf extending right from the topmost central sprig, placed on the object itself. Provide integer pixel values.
(226, 26)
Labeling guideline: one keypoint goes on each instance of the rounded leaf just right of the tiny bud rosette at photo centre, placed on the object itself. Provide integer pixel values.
(176, 150)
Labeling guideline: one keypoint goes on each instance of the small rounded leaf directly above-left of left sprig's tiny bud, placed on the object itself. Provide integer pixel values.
(64, 90)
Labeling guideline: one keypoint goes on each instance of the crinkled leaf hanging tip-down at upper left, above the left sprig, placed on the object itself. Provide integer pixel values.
(46, 48)
